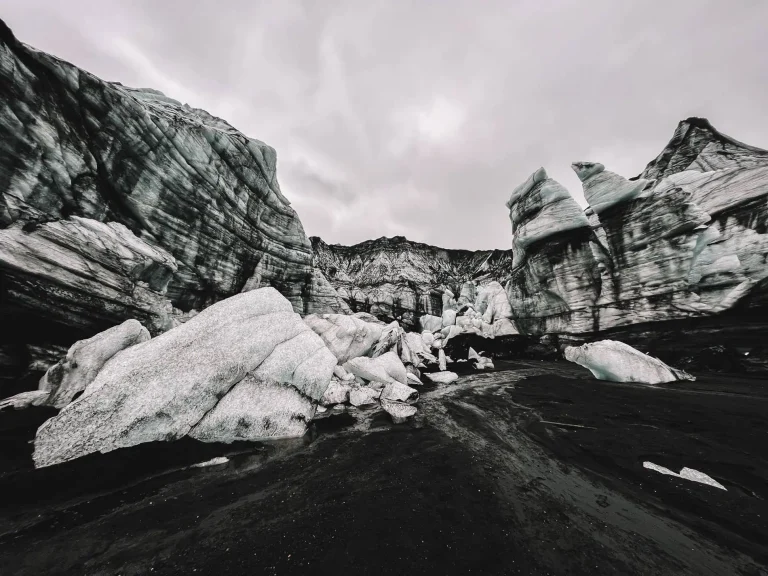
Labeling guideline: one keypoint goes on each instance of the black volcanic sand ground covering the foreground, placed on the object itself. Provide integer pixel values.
(534, 468)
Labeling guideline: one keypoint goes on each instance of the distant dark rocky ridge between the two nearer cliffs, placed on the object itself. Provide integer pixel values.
(396, 279)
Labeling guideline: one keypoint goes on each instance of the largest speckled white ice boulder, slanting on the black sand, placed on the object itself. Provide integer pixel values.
(163, 388)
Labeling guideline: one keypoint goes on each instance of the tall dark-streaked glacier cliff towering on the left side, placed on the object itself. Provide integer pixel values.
(122, 203)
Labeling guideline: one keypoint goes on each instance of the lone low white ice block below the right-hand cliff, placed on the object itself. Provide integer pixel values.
(618, 362)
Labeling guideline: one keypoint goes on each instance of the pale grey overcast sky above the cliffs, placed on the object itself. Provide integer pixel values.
(419, 118)
